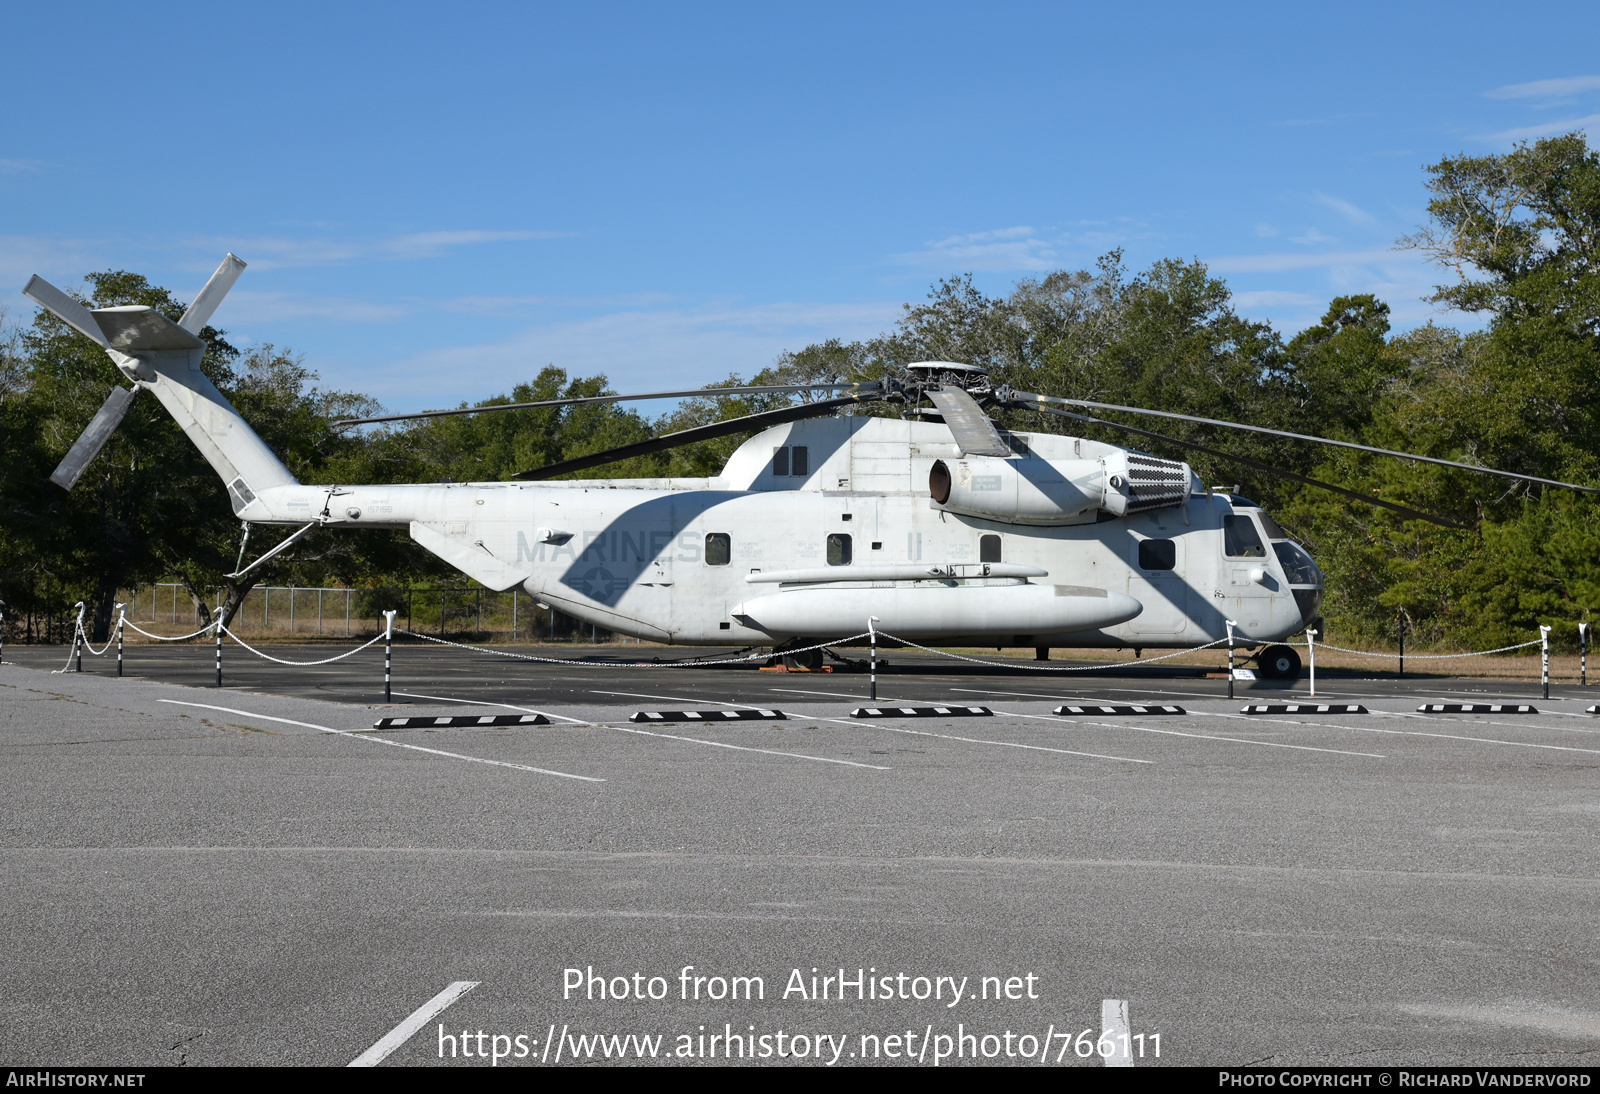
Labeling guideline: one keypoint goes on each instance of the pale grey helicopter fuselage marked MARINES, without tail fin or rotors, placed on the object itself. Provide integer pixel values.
(817, 527)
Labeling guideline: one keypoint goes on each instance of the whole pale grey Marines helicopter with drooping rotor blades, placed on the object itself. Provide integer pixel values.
(938, 527)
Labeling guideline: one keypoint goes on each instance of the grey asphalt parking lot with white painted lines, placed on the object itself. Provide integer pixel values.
(254, 876)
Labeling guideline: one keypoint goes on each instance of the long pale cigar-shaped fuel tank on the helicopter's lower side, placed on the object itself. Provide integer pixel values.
(961, 610)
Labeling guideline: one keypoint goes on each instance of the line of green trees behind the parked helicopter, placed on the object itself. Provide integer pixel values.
(1518, 238)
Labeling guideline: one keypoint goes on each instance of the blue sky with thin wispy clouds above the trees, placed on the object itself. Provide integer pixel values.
(438, 201)
